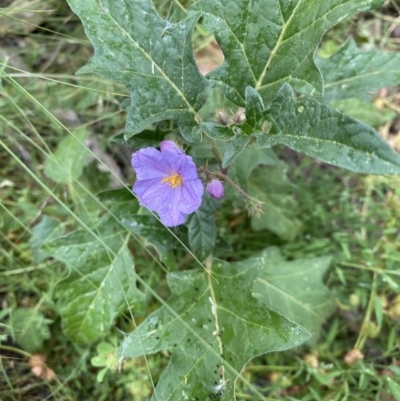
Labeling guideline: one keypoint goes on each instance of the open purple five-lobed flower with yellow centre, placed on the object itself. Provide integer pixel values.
(167, 182)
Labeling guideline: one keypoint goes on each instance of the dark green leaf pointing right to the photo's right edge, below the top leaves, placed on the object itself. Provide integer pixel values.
(316, 130)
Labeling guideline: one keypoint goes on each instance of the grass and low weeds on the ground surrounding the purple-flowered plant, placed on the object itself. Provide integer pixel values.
(354, 218)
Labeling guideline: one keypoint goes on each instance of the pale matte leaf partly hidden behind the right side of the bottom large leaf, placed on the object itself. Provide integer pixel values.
(295, 289)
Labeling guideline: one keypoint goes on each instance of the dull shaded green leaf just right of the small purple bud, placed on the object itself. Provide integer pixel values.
(270, 186)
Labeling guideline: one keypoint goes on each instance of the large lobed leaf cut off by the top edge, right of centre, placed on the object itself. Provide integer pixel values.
(269, 42)
